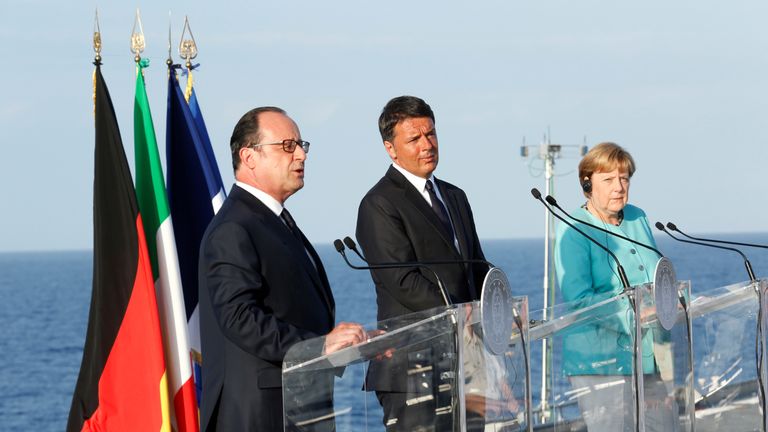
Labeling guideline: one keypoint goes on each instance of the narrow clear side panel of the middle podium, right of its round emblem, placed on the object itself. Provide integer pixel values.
(668, 400)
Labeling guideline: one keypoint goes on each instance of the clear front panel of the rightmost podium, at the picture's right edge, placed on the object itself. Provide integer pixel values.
(730, 352)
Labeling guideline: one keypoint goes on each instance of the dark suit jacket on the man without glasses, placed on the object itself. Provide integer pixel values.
(395, 224)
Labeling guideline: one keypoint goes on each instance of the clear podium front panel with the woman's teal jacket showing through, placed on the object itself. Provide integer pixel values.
(591, 366)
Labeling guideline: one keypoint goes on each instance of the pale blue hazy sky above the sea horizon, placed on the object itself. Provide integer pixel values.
(681, 85)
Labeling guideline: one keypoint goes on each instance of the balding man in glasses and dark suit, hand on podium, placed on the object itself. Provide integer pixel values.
(262, 285)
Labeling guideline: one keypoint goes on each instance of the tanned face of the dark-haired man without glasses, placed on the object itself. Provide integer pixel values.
(414, 146)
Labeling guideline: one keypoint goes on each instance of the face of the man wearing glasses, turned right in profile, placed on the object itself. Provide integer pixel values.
(272, 169)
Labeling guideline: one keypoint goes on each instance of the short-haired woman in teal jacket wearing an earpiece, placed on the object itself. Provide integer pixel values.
(597, 357)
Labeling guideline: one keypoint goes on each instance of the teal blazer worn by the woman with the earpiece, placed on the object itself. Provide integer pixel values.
(586, 275)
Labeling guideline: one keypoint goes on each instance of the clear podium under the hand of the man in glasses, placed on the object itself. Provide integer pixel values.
(436, 364)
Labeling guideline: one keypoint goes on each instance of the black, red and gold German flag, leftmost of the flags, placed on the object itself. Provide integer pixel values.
(122, 382)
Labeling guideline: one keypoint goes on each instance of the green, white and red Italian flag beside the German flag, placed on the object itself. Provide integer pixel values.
(158, 230)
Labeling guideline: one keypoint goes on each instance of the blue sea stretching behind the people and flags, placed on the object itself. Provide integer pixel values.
(46, 295)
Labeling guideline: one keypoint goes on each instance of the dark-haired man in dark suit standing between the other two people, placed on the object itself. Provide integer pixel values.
(409, 216)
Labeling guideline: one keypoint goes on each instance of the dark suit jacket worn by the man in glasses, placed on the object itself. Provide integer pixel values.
(259, 295)
